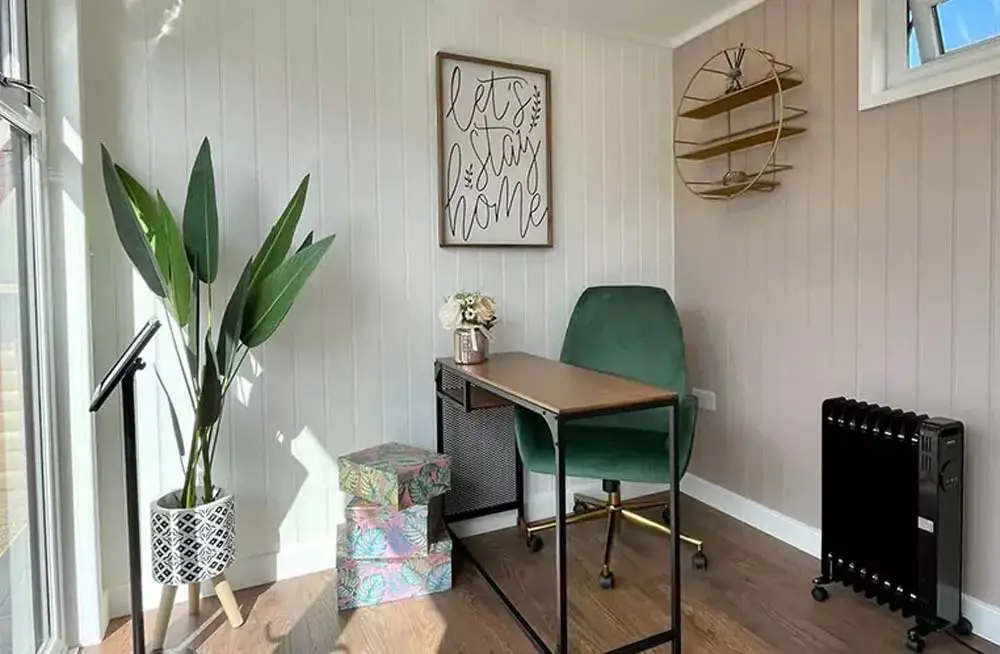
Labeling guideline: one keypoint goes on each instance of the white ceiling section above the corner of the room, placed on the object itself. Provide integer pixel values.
(663, 22)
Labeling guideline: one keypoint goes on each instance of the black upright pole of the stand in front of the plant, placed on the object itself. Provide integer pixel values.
(132, 507)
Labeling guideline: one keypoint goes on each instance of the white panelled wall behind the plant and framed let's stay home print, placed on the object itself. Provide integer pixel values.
(344, 90)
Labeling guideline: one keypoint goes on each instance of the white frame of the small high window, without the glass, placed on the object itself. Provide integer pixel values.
(884, 75)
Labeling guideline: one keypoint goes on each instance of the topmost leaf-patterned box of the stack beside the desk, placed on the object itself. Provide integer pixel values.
(394, 475)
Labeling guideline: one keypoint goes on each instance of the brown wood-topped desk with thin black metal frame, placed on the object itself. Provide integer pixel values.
(559, 393)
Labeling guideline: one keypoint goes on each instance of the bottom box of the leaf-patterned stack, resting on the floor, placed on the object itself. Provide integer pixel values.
(370, 582)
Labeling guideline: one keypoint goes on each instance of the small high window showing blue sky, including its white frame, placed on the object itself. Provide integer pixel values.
(912, 47)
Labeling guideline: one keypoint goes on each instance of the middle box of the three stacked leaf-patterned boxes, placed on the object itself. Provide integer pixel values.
(375, 532)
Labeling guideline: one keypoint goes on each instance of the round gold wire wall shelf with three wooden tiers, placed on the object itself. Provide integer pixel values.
(733, 122)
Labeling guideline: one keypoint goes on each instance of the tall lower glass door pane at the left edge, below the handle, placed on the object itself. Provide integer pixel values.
(22, 596)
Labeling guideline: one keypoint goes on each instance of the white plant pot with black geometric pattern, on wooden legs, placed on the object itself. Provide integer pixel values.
(192, 545)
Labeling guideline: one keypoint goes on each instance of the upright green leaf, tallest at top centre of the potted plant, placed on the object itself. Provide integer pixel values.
(201, 218)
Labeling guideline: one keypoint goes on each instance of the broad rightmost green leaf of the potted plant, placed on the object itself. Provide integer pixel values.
(270, 301)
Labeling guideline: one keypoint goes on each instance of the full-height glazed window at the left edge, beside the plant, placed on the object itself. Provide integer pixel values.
(26, 600)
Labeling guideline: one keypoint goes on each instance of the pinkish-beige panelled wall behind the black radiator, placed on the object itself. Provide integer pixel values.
(873, 272)
